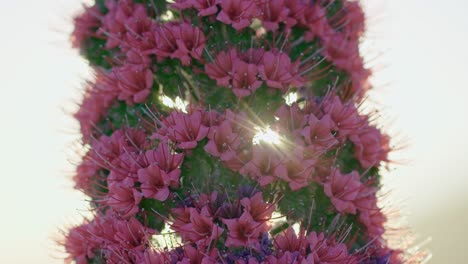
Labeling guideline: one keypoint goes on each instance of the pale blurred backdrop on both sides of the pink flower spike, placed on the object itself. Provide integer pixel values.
(418, 49)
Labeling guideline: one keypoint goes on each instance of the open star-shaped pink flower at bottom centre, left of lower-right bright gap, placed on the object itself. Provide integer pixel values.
(243, 231)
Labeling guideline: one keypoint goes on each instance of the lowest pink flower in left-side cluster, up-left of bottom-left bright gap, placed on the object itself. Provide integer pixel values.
(124, 198)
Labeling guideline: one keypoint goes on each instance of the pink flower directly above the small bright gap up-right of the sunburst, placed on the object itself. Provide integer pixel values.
(278, 71)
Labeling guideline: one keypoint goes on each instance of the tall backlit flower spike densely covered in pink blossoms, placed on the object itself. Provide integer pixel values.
(228, 131)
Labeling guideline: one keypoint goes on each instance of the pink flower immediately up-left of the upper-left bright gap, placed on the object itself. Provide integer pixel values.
(134, 83)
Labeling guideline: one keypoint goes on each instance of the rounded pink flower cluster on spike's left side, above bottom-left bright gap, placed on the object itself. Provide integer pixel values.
(128, 170)
